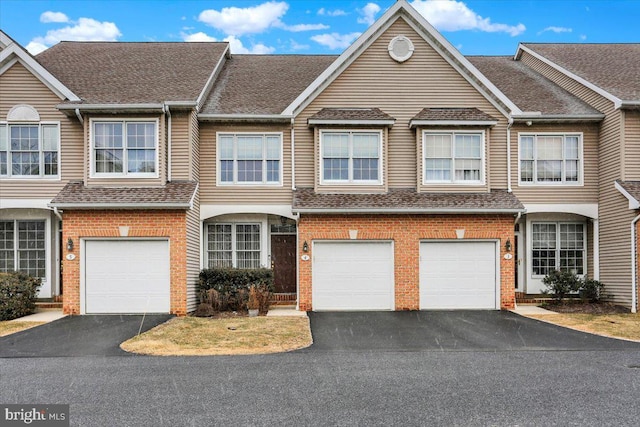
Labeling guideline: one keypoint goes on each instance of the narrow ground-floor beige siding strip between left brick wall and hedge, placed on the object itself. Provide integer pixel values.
(194, 232)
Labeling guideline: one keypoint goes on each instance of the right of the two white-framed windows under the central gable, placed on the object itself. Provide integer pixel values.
(453, 157)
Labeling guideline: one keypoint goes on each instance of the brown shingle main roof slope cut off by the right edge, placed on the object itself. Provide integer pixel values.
(614, 67)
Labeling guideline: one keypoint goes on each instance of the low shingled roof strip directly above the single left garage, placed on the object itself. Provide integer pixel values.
(176, 194)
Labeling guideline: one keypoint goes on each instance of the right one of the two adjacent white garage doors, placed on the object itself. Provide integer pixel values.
(458, 275)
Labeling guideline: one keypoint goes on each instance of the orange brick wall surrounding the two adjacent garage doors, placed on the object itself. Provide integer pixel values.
(406, 231)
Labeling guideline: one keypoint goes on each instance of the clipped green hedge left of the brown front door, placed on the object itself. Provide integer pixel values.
(232, 287)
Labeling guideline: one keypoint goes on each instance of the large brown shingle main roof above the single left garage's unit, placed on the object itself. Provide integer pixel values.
(128, 73)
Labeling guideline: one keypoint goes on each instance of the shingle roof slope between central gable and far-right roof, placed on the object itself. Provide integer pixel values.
(529, 90)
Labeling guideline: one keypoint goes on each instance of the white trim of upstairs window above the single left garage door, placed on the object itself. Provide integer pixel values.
(124, 174)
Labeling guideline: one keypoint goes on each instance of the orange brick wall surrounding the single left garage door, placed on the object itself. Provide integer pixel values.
(99, 223)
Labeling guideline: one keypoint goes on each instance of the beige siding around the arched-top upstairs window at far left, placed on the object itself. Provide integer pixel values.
(19, 86)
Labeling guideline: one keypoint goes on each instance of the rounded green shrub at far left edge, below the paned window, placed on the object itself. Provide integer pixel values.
(18, 292)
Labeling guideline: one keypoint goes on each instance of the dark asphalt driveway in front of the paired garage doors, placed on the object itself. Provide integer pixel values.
(448, 331)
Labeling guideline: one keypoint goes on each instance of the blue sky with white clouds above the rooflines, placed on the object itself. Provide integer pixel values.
(483, 27)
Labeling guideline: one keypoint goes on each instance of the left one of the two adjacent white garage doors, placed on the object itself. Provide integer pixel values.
(352, 276)
